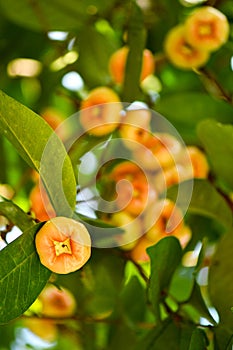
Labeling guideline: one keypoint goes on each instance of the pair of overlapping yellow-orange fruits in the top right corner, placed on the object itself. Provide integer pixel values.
(188, 45)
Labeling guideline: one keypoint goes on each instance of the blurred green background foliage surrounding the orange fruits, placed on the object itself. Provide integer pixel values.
(53, 53)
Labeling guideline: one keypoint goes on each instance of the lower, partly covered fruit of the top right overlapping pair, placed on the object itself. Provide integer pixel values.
(181, 53)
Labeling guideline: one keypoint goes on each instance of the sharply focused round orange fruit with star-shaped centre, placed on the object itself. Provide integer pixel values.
(63, 245)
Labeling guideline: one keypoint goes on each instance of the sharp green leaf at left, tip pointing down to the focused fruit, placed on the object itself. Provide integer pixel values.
(40, 147)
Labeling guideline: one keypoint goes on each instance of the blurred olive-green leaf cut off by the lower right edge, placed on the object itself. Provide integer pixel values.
(220, 280)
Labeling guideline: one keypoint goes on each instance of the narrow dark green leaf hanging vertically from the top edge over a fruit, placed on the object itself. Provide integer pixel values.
(136, 43)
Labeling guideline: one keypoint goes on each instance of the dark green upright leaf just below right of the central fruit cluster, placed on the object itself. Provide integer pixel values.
(165, 257)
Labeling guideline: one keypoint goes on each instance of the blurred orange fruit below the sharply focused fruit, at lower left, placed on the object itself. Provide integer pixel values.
(57, 303)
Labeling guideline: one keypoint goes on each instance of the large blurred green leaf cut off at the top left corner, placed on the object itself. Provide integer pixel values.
(53, 15)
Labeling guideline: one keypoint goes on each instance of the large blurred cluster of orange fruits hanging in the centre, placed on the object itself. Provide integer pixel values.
(157, 161)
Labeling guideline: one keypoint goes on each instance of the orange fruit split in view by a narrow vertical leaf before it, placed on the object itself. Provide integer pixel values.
(118, 60)
